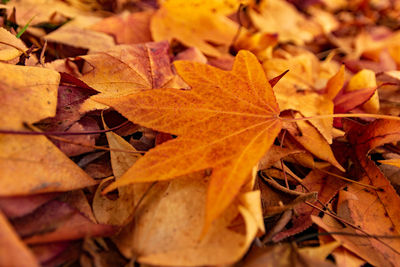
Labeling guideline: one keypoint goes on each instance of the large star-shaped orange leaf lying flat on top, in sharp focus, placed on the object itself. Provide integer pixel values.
(227, 121)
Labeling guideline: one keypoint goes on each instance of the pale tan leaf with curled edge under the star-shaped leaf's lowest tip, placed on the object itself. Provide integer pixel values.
(169, 223)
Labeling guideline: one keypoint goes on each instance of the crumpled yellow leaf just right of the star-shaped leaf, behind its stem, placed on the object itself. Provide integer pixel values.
(296, 90)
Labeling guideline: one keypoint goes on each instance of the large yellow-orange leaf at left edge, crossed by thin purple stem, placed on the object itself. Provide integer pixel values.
(29, 95)
